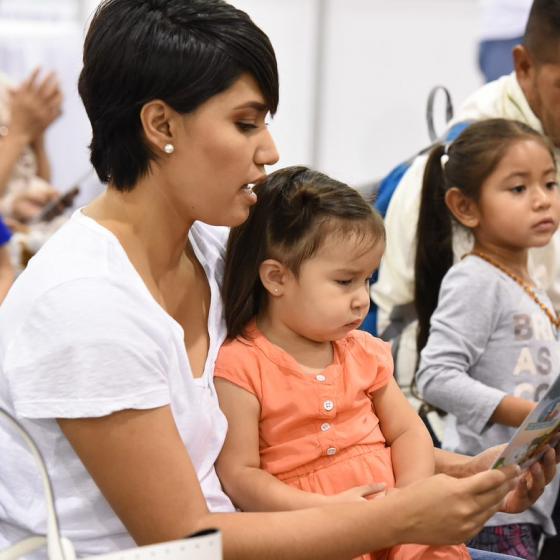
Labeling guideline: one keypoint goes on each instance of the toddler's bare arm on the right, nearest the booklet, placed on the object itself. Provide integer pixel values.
(411, 446)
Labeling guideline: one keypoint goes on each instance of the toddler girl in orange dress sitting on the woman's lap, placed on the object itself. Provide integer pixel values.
(315, 416)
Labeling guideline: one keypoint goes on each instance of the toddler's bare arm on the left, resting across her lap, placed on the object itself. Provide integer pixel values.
(250, 487)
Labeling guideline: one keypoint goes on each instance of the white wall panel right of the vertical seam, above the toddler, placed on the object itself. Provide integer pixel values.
(381, 60)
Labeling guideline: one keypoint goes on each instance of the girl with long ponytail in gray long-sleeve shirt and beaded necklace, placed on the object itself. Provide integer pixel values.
(487, 332)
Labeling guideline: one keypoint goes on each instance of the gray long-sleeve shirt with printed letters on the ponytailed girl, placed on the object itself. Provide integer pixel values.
(488, 338)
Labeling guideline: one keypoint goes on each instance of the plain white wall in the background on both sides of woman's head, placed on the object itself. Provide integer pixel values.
(354, 76)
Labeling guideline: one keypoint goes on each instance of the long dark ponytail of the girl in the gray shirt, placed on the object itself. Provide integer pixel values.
(434, 251)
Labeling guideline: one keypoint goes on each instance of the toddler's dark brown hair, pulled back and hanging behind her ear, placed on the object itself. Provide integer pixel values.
(297, 209)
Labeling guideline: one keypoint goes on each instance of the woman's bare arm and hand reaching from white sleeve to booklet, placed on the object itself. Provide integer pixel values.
(140, 464)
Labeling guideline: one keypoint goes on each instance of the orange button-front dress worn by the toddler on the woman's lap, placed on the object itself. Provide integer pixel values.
(319, 432)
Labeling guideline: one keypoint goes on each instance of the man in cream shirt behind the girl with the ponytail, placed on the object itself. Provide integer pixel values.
(531, 94)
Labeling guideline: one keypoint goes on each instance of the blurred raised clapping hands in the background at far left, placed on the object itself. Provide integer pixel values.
(34, 106)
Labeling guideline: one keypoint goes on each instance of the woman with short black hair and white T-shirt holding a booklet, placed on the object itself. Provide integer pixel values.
(108, 339)
